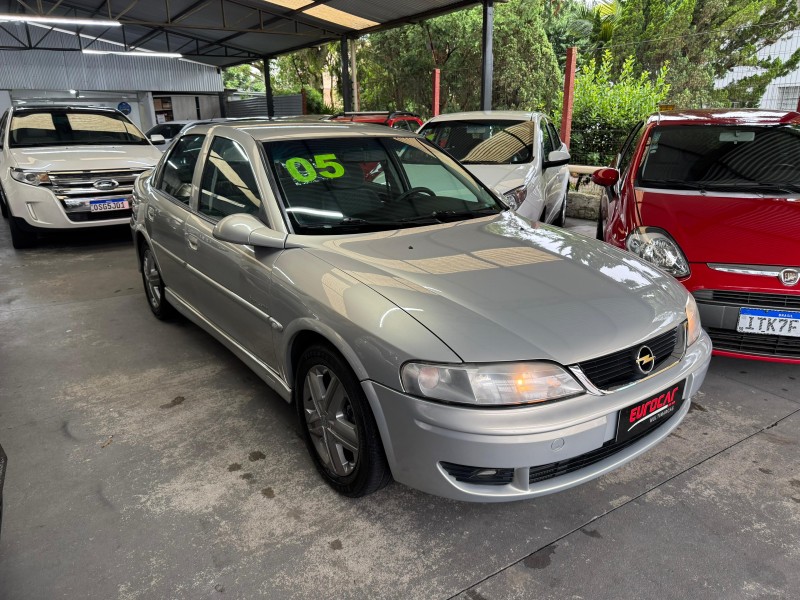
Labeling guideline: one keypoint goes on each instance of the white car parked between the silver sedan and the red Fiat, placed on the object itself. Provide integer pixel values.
(518, 154)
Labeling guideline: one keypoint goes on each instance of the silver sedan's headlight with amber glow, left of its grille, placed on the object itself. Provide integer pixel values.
(490, 385)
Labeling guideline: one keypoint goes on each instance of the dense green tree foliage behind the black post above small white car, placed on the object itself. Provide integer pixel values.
(396, 66)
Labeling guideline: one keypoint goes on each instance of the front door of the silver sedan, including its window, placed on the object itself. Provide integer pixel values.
(231, 282)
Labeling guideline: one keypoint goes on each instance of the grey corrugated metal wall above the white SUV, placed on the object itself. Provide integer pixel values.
(53, 70)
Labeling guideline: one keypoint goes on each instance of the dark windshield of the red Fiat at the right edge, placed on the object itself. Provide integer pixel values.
(722, 157)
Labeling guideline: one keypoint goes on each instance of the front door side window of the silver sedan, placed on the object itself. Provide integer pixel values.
(228, 185)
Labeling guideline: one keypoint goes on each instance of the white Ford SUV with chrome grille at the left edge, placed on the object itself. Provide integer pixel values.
(65, 167)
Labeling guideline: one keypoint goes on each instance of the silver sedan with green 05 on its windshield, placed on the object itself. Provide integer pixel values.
(424, 331)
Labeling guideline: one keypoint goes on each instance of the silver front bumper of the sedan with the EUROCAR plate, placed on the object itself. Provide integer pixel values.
(419, 436)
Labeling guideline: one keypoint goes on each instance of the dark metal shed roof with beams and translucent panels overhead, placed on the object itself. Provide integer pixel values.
(227, 32)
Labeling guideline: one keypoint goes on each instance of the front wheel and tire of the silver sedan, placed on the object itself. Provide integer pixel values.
(338, 425)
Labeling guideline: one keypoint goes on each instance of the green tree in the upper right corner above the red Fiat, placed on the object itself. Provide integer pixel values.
(704, 40)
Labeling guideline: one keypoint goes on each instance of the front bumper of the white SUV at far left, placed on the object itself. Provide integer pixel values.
(39, 207)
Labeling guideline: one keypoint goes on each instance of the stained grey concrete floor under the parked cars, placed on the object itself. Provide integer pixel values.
(146, 462)
